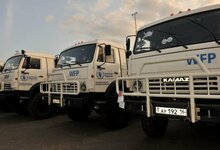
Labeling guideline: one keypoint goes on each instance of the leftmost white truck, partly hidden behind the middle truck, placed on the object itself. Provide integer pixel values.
(20, 83)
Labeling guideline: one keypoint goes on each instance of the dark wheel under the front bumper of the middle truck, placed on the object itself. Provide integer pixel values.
(78, 114)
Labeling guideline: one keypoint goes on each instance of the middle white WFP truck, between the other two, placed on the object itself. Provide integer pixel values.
(84, 80)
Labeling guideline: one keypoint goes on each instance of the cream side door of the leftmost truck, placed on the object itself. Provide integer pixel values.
(35, 73)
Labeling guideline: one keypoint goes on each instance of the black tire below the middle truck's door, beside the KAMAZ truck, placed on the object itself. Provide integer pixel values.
(112, 117)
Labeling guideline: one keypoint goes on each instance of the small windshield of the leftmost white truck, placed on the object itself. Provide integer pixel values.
(12, 63)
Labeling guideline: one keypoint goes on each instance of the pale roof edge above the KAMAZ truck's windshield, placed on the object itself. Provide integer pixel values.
(182, 14)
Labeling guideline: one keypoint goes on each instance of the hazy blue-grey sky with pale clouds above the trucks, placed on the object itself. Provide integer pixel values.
(50, 26)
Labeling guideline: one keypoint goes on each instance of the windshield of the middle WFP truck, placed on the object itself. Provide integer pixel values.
(77, 55)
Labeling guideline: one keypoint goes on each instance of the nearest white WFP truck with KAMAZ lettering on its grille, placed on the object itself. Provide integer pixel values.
(174, 71)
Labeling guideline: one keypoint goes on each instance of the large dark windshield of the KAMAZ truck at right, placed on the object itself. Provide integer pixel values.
(194, 29)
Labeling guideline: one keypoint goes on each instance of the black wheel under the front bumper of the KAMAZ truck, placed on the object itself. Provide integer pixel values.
(154, 126)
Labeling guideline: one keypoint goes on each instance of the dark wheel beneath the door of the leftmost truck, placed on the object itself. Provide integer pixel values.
(38, 108)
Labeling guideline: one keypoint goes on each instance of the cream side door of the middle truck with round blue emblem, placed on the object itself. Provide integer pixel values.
(107, 69)
